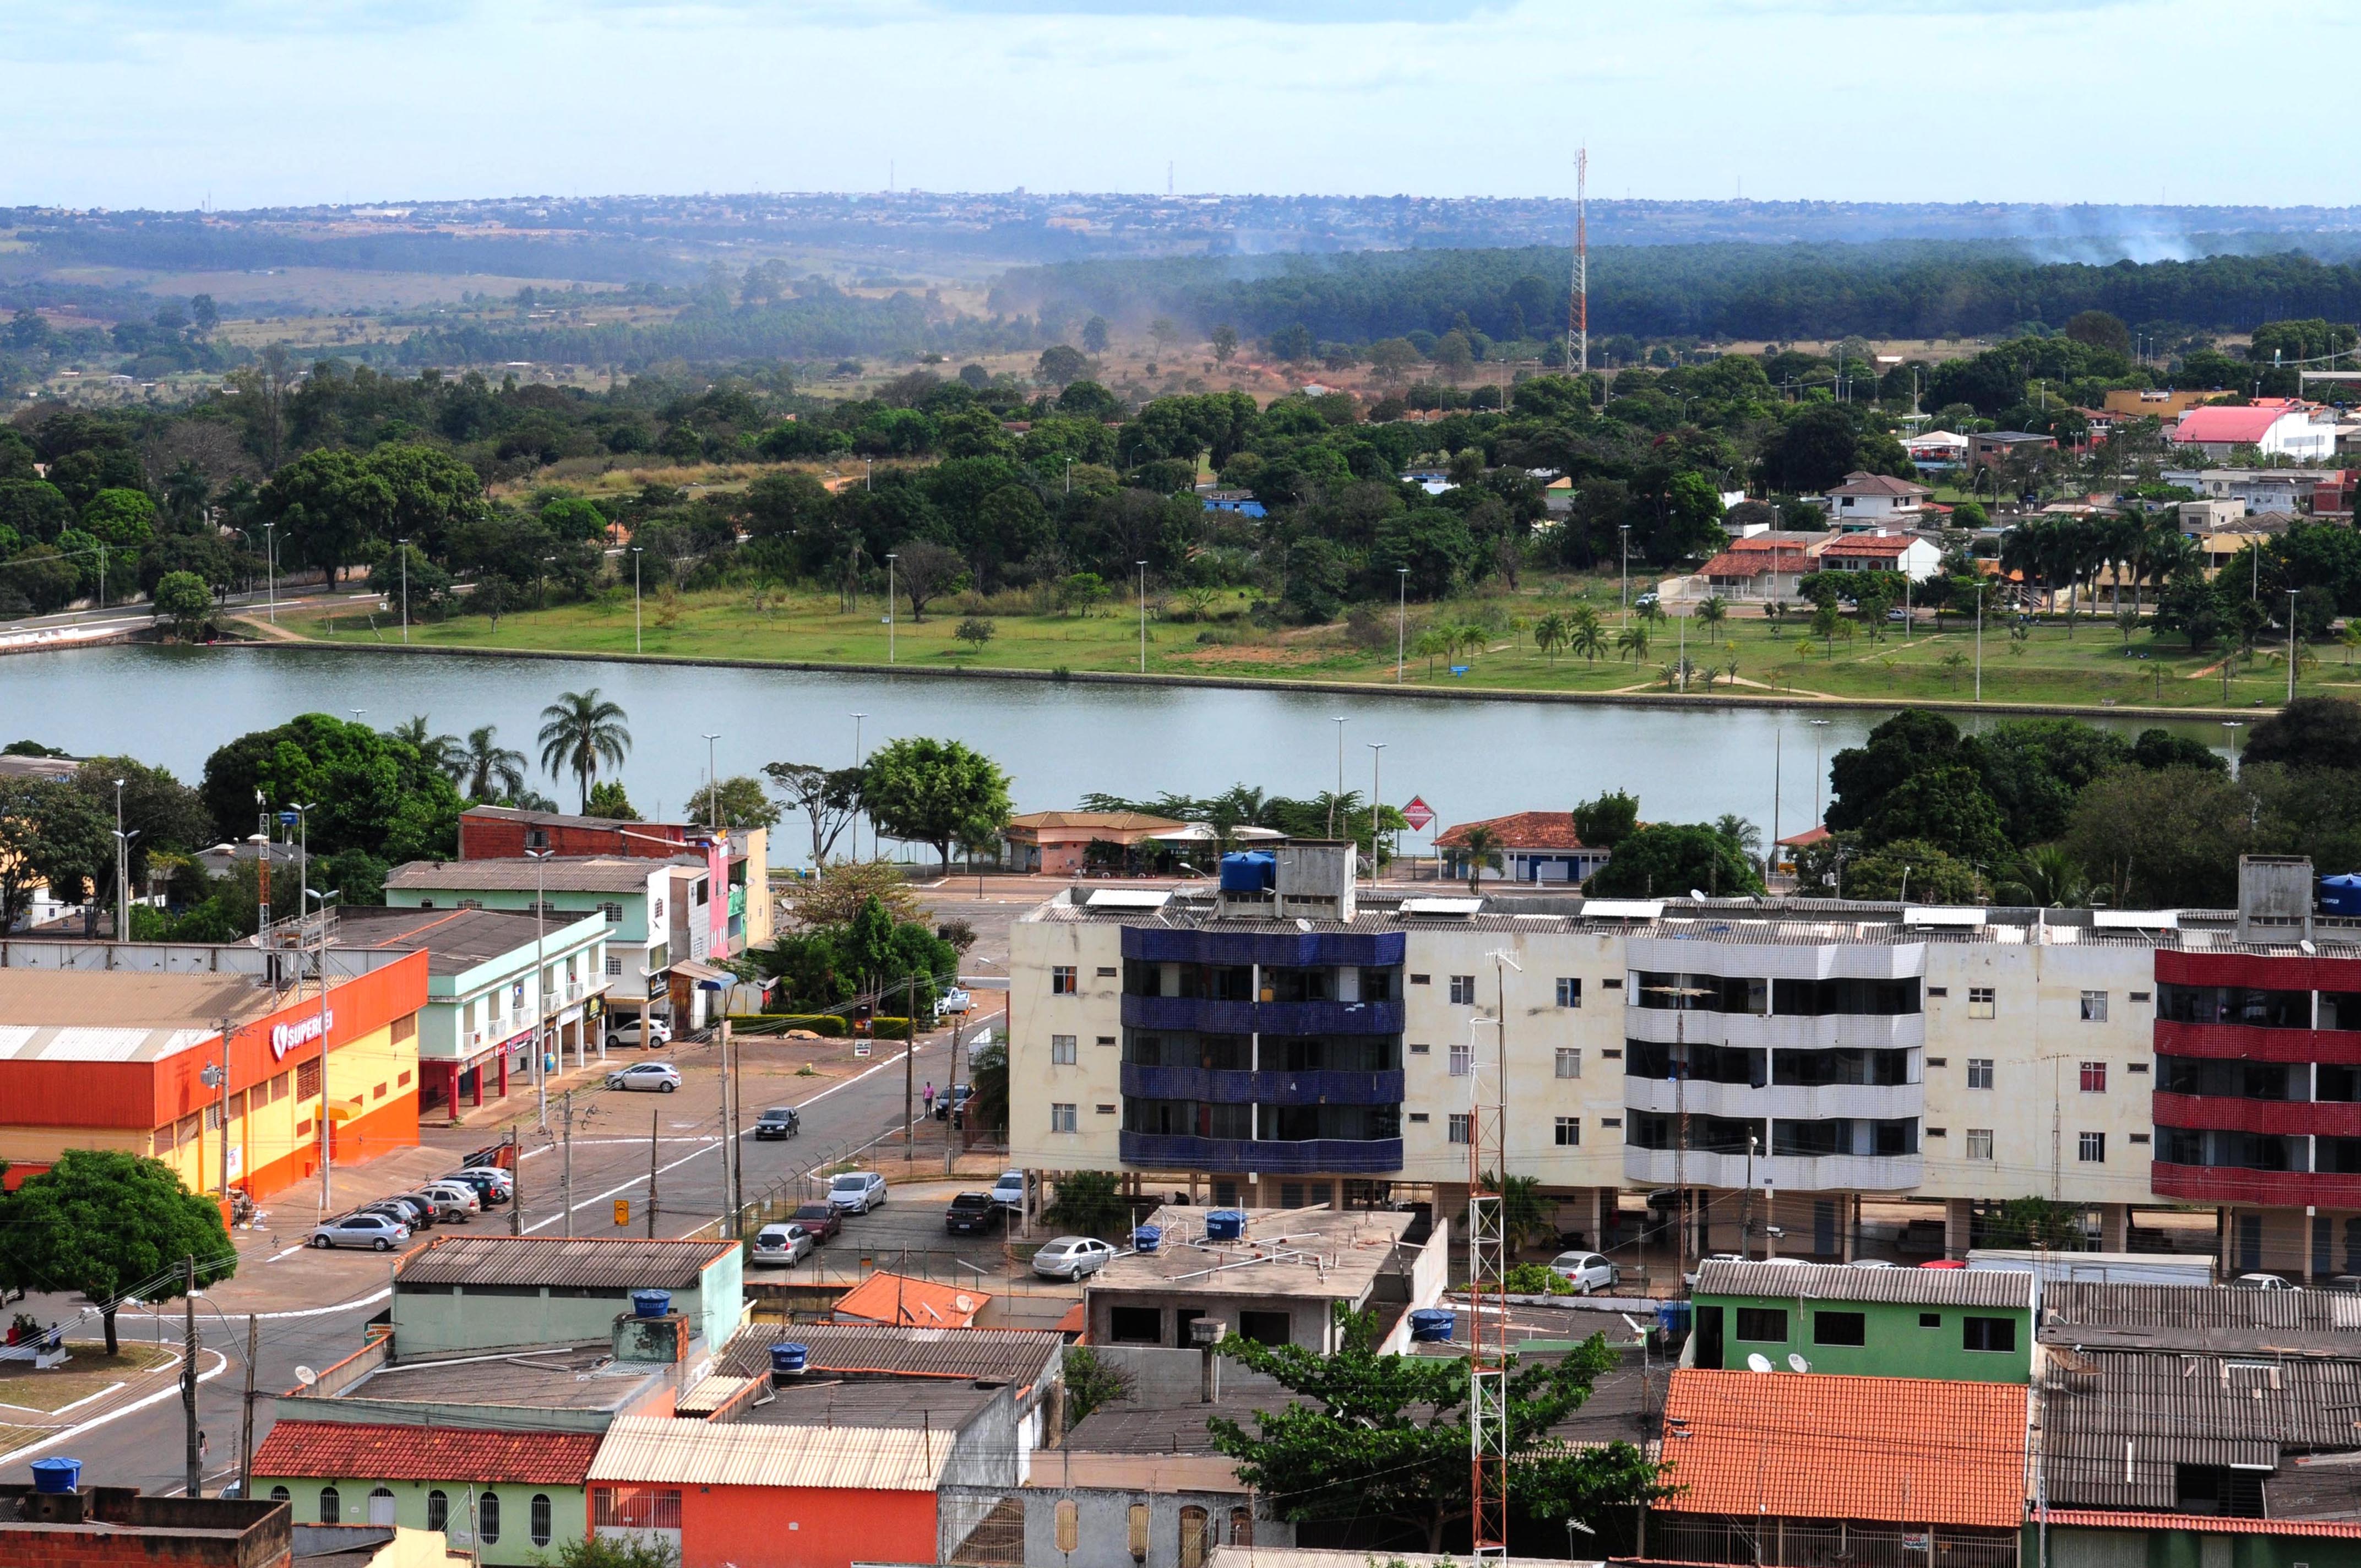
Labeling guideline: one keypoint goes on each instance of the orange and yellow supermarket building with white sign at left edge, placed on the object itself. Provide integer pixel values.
(105, 1045)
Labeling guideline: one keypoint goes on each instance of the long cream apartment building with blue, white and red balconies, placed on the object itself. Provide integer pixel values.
(1302, 1045)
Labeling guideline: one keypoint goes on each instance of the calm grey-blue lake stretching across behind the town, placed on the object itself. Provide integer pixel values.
(1465, 759)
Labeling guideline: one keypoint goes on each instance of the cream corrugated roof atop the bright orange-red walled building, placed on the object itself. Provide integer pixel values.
(698, 1453)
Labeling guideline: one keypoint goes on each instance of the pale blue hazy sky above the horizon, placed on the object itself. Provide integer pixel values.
(259, 103)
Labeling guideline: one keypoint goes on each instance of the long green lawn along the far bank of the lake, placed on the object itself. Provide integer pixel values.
(2084, 665)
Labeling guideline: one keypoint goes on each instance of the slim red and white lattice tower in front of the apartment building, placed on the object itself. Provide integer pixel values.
(1489, 1281)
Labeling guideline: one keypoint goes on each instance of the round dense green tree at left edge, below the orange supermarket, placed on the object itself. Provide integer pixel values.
(107, 1224)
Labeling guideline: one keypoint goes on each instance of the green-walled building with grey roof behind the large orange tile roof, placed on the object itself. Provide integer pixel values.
(1951, 1324)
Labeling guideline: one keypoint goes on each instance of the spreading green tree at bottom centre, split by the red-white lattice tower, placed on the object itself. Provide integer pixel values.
(1385, 1439)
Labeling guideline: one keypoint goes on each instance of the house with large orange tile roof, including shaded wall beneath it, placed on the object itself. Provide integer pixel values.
(1807, 1468)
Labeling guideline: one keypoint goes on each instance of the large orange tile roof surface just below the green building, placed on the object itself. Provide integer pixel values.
(1824, 1446)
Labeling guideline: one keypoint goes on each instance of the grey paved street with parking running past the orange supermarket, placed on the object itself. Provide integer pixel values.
(315, 1305)
